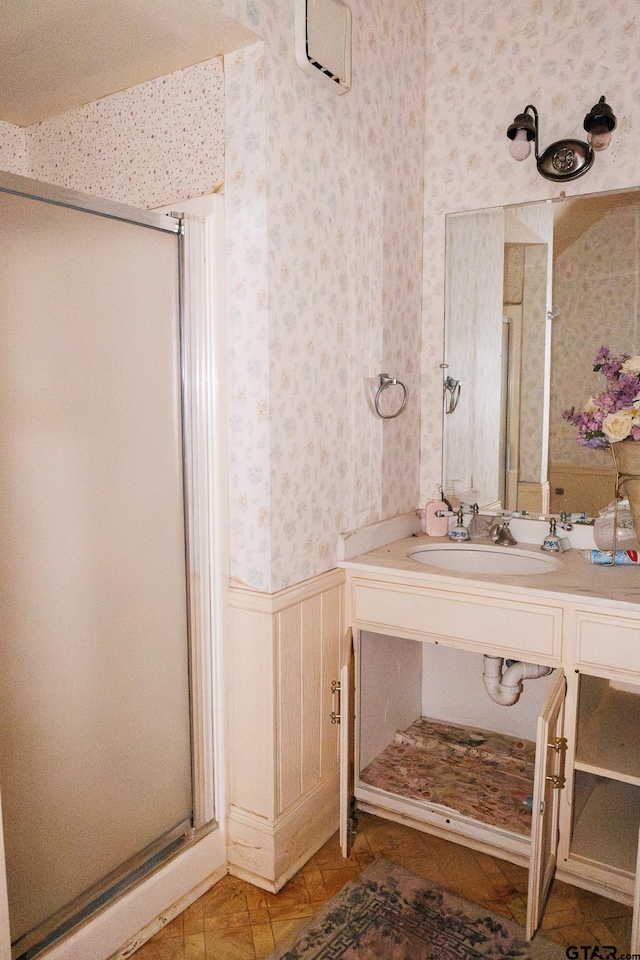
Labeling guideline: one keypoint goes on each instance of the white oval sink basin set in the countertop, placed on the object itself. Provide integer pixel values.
(489, 559)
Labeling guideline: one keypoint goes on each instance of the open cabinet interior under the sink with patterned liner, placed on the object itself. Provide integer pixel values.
(429, 734)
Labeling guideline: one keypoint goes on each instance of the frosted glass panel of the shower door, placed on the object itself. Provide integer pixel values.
(95, 756)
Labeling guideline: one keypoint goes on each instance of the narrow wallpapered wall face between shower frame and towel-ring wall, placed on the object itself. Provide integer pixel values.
(247, 317)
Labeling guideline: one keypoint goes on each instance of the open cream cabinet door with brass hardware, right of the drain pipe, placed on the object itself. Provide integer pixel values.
(548, 781)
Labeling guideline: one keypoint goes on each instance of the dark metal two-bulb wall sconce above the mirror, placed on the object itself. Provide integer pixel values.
(564, 159)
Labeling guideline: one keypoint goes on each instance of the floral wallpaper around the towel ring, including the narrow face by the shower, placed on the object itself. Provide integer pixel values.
(338, 299)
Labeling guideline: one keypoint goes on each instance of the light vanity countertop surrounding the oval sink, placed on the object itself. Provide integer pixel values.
(574, 579)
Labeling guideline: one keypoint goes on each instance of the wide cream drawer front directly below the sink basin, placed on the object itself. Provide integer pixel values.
(463, 621)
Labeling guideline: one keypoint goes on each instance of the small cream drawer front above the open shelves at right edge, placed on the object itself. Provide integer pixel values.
(605, 641)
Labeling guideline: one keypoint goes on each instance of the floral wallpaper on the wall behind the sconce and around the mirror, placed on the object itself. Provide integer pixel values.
(485, 62)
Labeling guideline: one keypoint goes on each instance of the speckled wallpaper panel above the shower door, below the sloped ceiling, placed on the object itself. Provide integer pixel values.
(152, 144)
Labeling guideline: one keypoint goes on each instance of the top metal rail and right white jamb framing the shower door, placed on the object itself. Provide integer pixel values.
(198, 398)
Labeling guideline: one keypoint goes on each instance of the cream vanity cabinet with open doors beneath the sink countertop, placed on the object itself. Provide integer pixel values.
(586, 802)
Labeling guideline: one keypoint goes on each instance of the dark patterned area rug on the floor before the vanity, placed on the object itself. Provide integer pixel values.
(392, 914)
